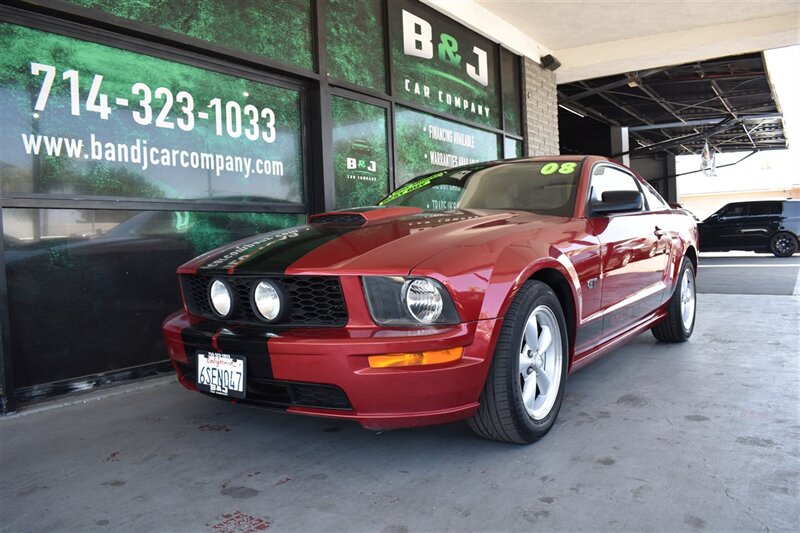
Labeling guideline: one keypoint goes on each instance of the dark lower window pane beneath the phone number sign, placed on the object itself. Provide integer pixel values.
(100, 282)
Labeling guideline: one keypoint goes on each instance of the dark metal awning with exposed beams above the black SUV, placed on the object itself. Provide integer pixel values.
(727, 102)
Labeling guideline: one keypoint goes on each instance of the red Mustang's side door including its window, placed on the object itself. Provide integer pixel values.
(634, 251)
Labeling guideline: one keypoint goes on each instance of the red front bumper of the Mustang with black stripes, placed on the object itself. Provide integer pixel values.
(325, 372)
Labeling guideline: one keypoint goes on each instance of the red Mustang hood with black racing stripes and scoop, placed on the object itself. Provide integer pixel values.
(374, 241)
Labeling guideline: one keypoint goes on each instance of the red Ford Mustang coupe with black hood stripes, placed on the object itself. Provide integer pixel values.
(467, 293)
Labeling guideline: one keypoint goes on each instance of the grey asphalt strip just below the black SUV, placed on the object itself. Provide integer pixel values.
(748, 273)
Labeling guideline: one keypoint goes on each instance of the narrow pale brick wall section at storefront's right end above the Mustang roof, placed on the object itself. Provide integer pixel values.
(541, 109)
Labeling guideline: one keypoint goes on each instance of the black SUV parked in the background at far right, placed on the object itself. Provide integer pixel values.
(769, 225)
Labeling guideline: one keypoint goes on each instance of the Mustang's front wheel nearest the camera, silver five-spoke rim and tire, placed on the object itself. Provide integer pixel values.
(525, 387)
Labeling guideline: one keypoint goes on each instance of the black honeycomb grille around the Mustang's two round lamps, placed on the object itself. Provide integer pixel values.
(312, 300)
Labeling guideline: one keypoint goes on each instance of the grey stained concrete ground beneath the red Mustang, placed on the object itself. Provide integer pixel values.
(703, 435)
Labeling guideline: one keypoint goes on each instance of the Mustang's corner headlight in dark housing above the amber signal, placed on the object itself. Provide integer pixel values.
(396, 300)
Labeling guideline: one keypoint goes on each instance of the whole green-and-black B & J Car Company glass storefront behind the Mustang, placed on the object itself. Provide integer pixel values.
(137, 135)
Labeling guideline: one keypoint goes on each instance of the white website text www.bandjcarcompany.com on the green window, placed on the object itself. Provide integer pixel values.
(145, 156)
